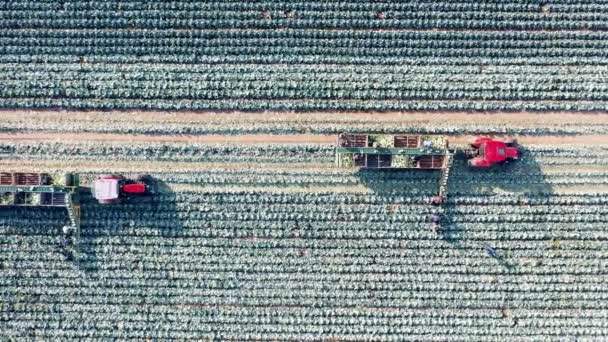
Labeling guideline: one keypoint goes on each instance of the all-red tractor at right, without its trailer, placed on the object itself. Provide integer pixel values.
(488, 151)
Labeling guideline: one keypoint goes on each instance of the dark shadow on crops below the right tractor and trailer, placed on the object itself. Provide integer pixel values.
(470, 191)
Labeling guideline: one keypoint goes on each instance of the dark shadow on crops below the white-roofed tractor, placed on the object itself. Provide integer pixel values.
(108, 226)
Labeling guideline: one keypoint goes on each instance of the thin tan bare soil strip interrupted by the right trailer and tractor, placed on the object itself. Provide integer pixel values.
(263, 139)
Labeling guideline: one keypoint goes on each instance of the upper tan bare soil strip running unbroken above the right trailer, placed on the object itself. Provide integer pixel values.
(545, 119)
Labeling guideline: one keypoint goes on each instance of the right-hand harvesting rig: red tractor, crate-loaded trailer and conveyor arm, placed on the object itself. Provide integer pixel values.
(421, 152)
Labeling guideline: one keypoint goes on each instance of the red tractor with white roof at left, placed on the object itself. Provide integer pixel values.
(114, 189)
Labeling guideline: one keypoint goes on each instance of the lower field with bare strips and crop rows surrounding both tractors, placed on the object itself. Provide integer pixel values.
(256, 235)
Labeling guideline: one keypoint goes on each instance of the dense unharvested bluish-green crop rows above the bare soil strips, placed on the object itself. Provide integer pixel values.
(353, 55)
